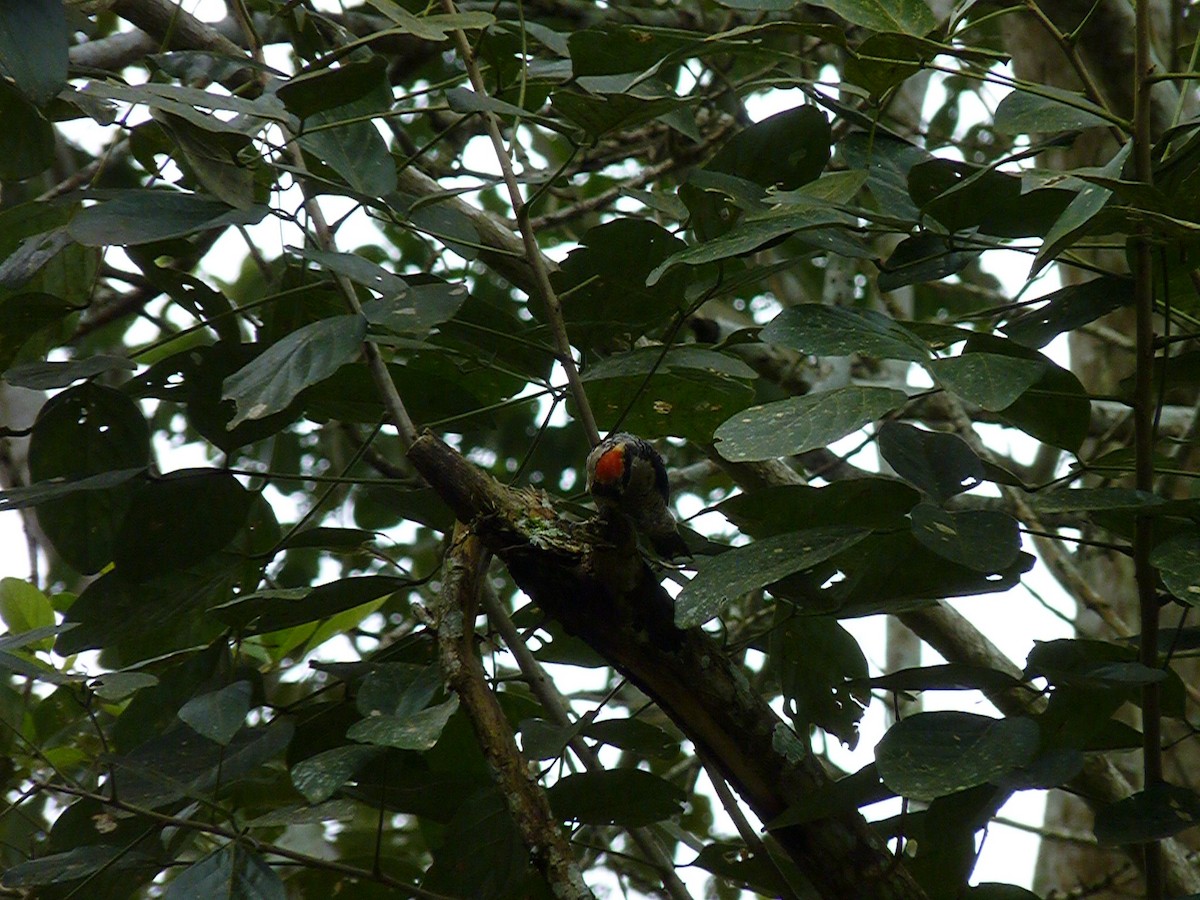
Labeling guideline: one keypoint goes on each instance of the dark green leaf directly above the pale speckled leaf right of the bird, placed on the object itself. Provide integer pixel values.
(820, 331)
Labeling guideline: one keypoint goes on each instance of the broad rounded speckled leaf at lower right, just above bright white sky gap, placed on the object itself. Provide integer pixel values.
(933, 755)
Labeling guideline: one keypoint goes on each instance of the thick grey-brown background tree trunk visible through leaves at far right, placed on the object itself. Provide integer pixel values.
(1106, 46)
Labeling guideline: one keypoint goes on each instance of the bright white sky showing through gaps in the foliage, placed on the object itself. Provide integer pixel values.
(1011, 620)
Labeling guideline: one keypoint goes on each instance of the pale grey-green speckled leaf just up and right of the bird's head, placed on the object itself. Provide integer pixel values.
(800, 424)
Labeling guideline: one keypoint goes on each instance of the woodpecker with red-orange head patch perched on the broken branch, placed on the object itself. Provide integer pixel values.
(627, 476)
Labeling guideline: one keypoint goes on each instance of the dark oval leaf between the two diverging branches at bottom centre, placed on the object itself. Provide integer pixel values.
(625, 797)
